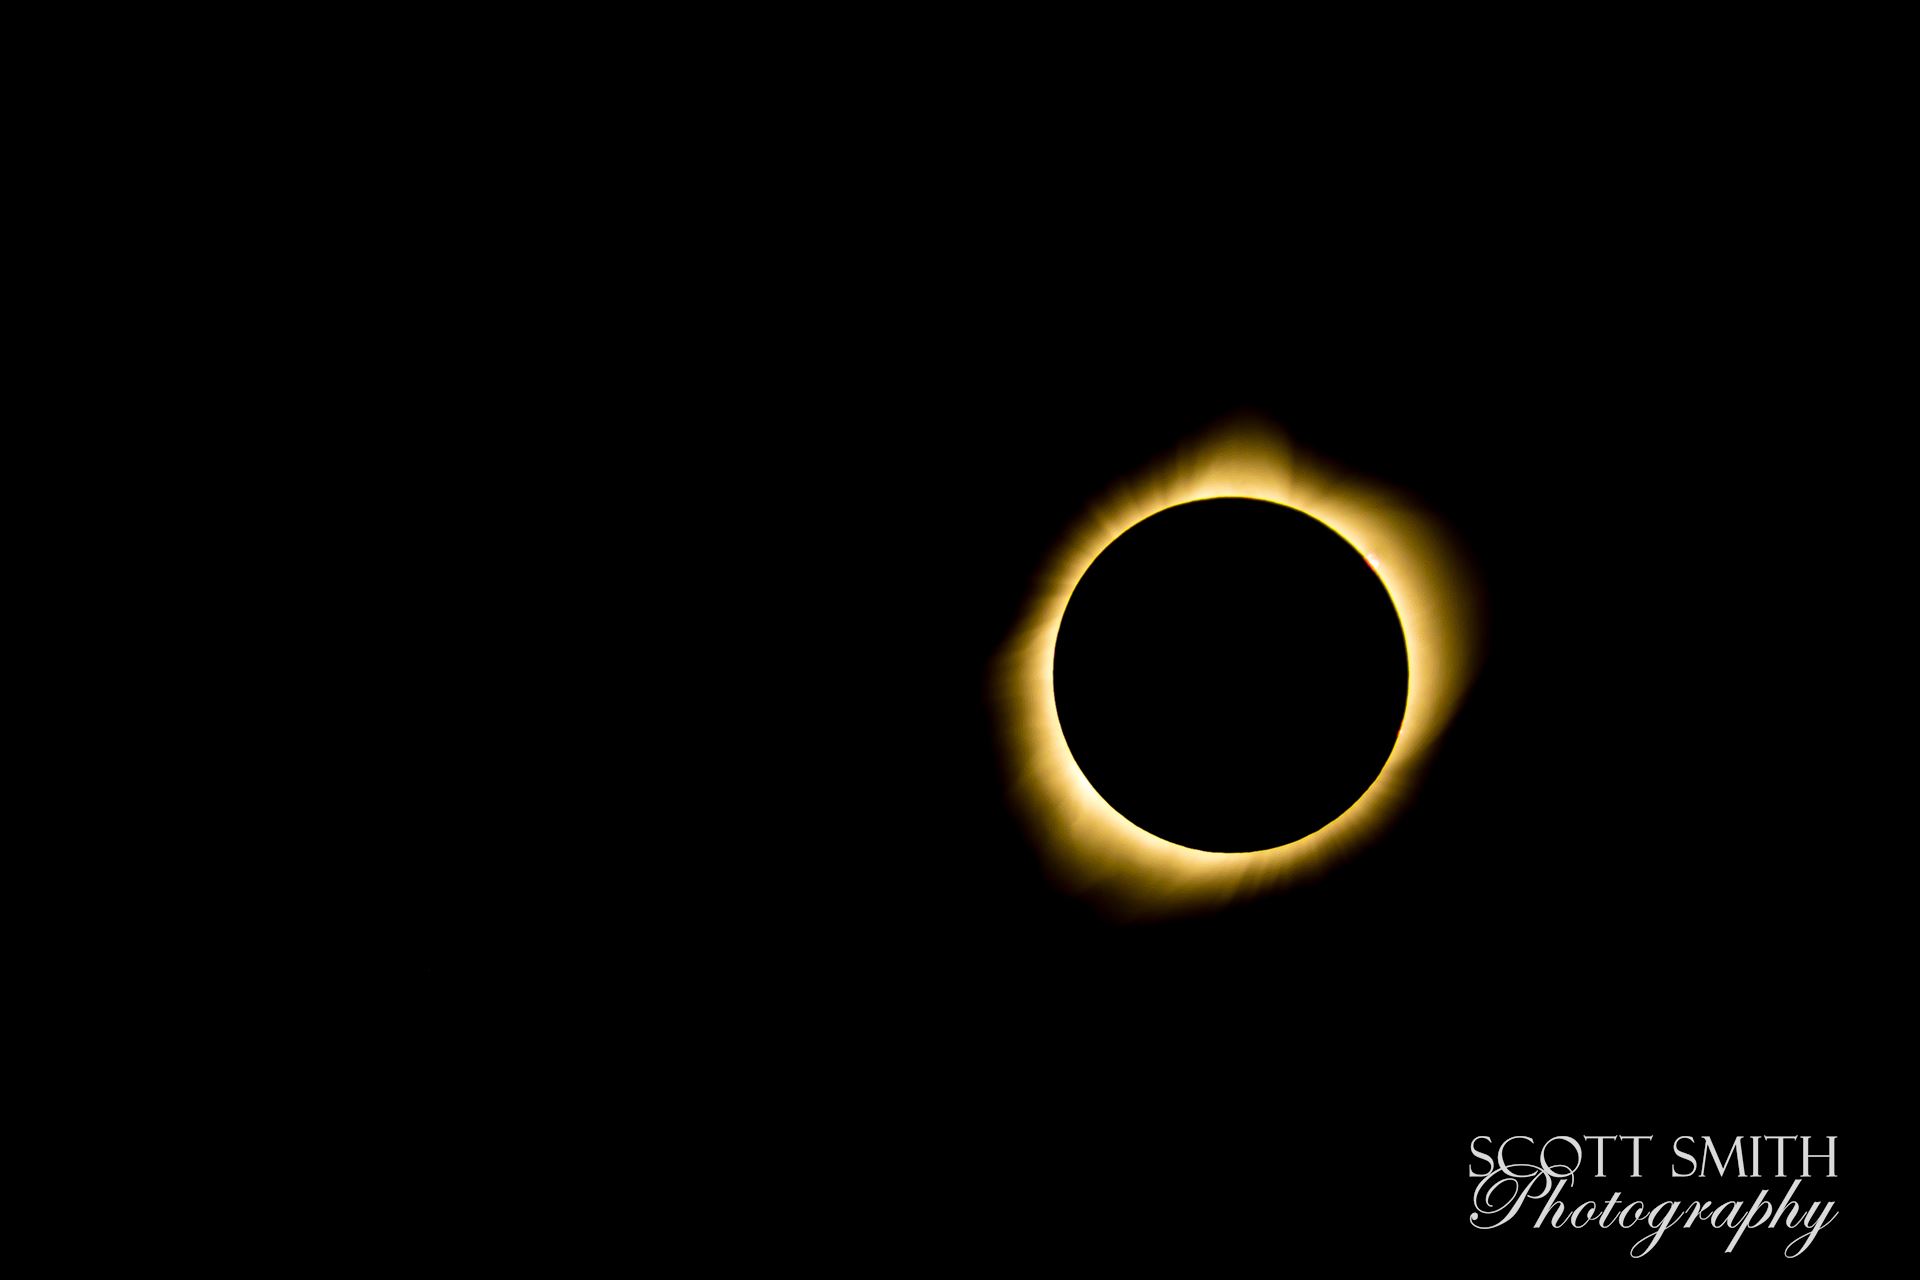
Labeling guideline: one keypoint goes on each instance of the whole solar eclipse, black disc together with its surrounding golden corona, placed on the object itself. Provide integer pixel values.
(1151, 822)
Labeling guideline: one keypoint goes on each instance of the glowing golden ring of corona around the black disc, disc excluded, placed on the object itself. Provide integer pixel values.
(1088, 845)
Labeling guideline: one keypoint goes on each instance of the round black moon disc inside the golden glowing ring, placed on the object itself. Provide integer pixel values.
(1230, 675)
